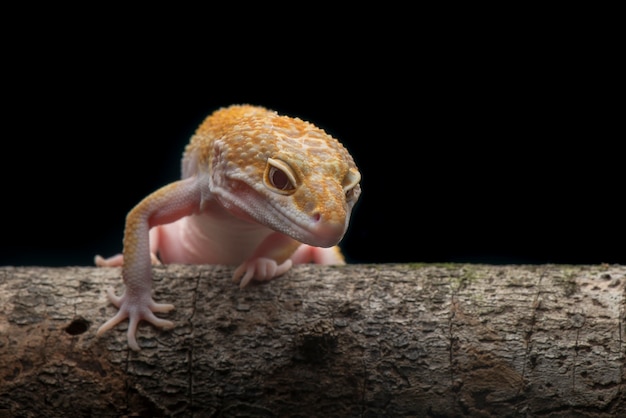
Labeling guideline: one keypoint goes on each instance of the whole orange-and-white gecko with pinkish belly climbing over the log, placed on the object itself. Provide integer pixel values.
(259, 191)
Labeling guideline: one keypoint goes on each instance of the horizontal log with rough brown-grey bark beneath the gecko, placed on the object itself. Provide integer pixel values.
(351, 341)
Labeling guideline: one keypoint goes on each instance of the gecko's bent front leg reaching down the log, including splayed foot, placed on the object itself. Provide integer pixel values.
(167, 204)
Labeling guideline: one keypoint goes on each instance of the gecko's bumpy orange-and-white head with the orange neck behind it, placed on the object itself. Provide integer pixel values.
(282, 172)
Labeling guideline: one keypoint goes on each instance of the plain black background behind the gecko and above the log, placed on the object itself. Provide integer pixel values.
(489, 140)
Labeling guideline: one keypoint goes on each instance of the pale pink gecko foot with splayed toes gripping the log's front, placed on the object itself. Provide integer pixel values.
(136, 309)
